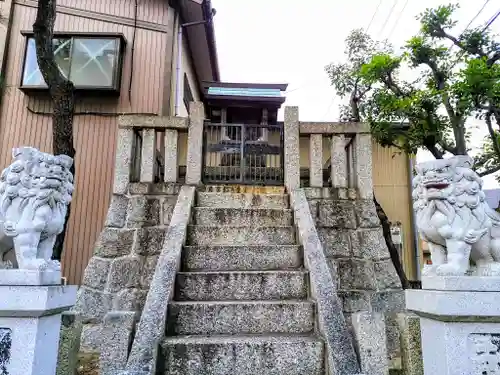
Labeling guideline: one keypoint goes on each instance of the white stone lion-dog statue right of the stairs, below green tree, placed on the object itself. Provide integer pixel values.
(462, 231)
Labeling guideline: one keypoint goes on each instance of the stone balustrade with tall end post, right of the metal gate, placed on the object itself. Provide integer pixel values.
(350, 154)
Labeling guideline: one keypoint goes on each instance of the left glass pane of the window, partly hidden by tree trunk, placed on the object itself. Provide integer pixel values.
(32, 75)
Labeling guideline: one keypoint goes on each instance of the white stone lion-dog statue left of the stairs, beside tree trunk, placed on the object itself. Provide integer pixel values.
(35, 191)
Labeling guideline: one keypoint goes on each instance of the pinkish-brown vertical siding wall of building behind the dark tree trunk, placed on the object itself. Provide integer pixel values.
(95, 136)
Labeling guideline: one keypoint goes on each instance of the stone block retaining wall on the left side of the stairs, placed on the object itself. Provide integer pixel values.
(118, 275)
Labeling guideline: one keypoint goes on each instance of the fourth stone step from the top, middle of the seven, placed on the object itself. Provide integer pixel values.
(241, 258)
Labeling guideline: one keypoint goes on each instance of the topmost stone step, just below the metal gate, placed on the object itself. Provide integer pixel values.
(245, 200)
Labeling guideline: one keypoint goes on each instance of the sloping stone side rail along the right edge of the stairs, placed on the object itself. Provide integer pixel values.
(341, 357)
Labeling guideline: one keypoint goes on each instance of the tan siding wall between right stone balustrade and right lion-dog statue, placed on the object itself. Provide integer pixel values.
(392, 190)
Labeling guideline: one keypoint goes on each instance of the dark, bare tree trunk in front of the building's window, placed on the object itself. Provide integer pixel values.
(61, 92)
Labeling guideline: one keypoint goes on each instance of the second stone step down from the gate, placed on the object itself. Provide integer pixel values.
(261, 217)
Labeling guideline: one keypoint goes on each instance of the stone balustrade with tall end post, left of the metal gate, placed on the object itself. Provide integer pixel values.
(149, 147)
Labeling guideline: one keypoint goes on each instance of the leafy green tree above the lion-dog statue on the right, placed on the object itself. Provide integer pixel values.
(451, 88)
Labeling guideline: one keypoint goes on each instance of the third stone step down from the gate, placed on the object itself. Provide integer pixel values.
(238, 235)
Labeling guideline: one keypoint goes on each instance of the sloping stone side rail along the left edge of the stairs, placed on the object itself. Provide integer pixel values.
(151, 327)
